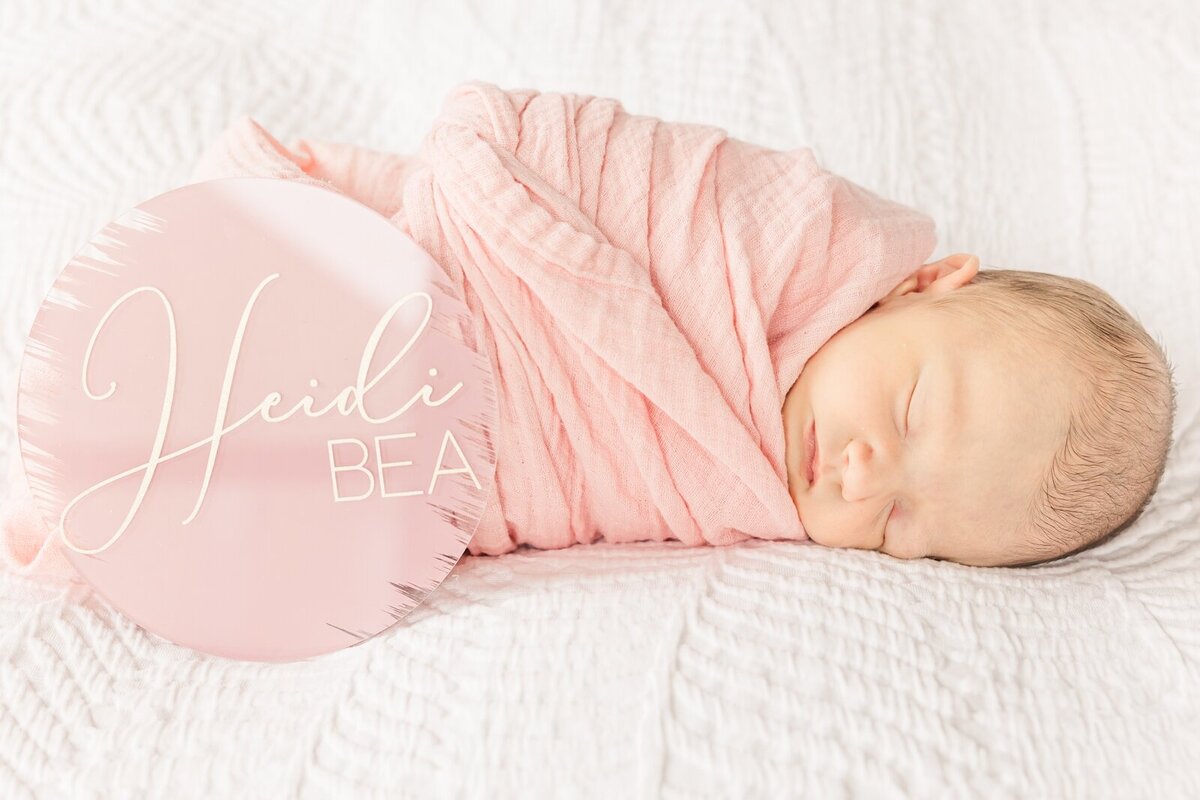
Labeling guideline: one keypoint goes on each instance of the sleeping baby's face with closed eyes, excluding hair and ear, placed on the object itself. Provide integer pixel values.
(931, 440)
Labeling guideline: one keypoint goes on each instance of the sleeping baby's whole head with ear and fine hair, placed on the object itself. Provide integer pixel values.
(988, 418)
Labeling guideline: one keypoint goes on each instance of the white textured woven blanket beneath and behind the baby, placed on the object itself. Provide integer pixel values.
(1058, 137)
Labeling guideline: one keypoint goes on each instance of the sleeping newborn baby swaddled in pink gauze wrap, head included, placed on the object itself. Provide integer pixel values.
(652, 294)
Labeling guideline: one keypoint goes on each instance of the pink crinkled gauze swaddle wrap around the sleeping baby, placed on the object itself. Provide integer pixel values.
(647, 291)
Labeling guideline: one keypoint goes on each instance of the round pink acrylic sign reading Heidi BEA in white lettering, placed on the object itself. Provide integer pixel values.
(257, 418)
